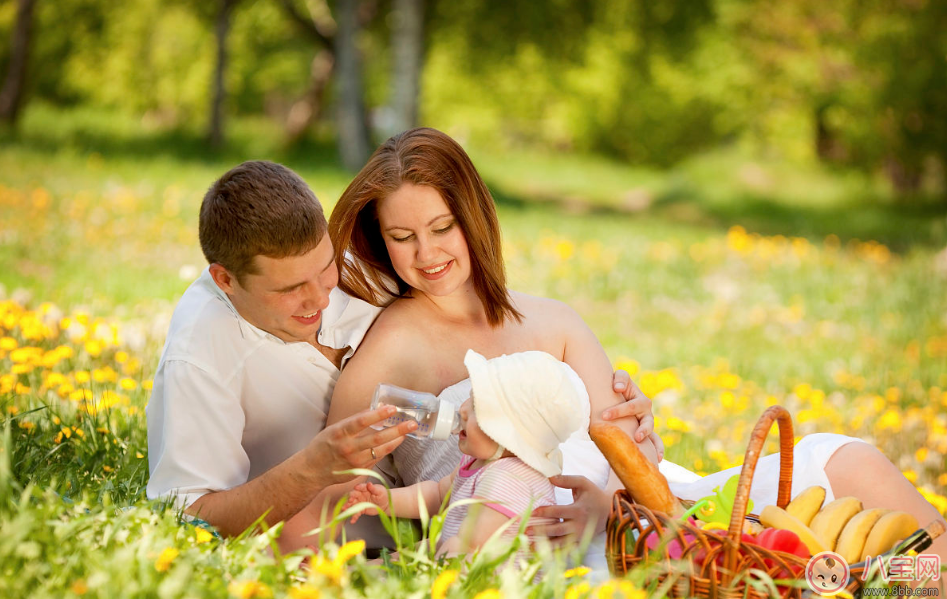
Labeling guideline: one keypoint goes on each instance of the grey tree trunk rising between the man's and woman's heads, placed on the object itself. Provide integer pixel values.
(352, 127)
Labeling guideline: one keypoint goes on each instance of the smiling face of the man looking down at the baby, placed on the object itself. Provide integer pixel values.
(287, 295)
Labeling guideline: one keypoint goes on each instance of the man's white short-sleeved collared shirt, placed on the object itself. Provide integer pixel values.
(231, 401)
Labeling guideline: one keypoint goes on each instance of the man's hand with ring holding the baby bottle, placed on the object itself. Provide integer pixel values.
(352, 443)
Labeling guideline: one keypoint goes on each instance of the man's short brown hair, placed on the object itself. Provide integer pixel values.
(259, 208)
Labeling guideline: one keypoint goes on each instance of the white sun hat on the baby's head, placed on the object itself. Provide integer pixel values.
(528, 402)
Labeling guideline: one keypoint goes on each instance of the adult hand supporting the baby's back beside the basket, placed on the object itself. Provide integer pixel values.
(589, 510)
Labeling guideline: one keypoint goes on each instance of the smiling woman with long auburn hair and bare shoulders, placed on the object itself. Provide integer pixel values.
(417, 230)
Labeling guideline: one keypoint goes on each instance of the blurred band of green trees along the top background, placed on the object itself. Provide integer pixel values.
(856, 84)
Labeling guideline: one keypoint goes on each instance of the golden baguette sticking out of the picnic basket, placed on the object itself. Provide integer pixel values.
(642, 479)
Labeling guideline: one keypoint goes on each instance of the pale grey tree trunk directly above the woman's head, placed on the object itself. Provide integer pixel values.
(407, 41)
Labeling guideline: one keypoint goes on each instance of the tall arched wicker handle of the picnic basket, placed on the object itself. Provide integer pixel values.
(742, 498)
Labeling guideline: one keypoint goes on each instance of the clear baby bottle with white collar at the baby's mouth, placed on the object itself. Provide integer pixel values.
(436, 418)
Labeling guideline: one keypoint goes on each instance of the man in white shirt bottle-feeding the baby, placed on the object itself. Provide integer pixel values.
(237, 414)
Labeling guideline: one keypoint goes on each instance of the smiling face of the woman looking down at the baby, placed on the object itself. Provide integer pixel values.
(427, 248)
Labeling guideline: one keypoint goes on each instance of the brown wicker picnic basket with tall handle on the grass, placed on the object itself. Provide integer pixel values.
(692, 562)
